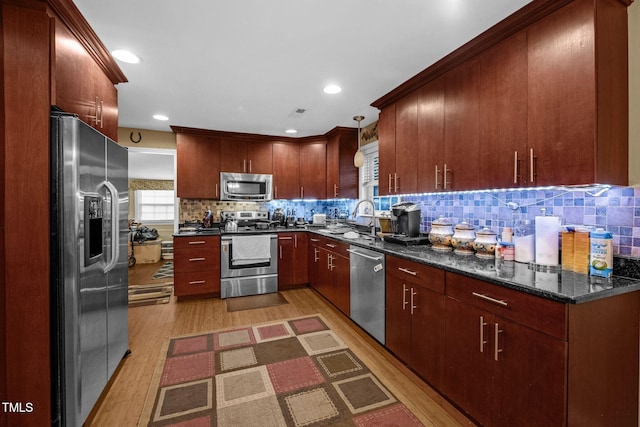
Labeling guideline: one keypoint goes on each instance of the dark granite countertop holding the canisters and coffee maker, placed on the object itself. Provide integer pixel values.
(561, 286)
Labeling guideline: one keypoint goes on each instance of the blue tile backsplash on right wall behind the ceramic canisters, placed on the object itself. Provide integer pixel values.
(616, 209)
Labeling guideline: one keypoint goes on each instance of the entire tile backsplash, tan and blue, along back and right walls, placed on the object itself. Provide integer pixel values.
(616, 209)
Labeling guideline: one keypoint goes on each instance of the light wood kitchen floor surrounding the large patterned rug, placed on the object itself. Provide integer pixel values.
(149, 326)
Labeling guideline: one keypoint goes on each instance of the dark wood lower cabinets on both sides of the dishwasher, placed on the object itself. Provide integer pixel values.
(504, 357)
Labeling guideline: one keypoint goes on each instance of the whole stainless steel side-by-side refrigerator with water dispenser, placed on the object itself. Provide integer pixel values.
(89, 236)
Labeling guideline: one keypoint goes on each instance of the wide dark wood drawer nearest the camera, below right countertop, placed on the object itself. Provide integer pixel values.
(537, 313)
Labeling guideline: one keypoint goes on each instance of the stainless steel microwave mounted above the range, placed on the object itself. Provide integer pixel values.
(246, 186)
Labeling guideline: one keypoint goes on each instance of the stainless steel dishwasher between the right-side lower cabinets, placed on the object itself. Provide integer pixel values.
(368, 290)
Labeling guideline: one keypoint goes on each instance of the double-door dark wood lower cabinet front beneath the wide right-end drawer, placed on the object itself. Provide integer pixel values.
(503, 373)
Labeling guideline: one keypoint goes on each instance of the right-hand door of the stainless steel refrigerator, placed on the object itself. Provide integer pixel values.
(118, 270)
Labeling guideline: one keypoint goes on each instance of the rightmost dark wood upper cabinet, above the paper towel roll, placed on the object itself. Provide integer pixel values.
(578, 112)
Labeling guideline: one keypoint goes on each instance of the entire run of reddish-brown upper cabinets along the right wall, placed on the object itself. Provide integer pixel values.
(539, 99)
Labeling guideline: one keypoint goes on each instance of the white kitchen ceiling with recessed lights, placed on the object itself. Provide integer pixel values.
(246, 65)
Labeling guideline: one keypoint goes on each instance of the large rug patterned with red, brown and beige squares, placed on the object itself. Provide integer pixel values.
(294, 372)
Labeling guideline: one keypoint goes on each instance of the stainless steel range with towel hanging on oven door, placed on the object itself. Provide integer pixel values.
(248, 255)
